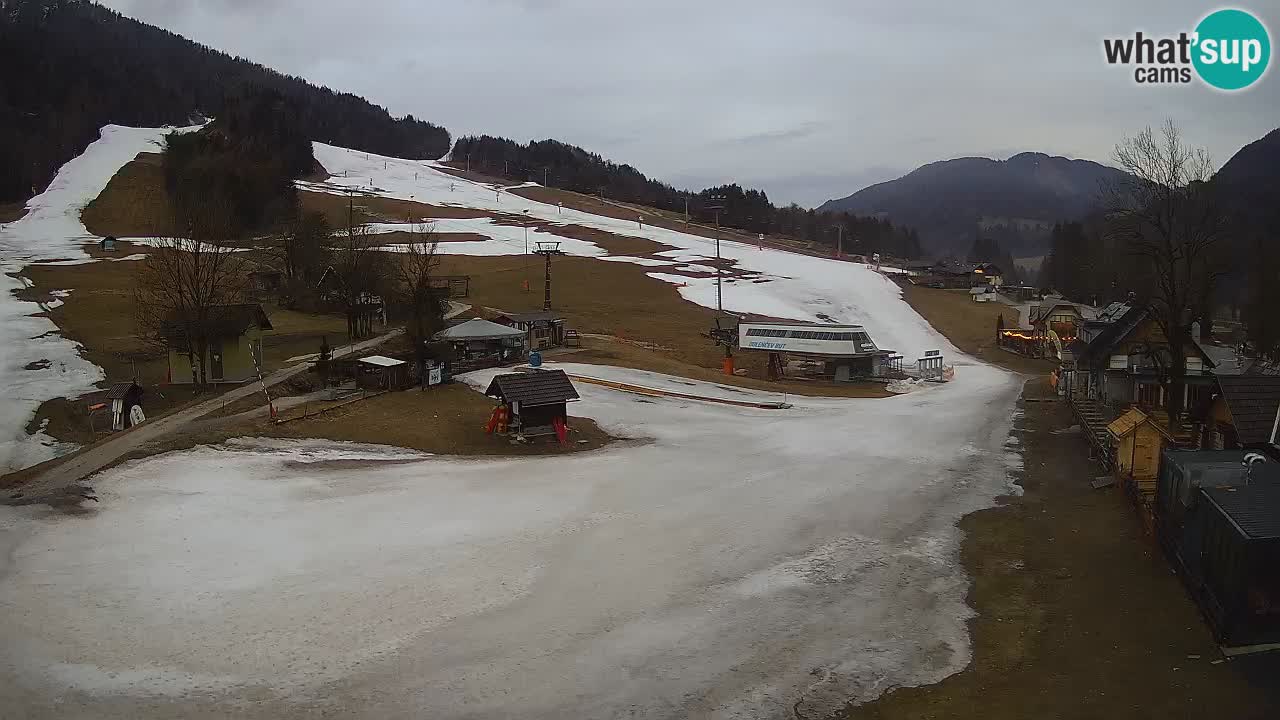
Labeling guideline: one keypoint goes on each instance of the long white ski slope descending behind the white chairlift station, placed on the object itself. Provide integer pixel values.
(801, 288)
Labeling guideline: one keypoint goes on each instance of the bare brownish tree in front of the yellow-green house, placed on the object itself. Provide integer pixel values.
(182, 288)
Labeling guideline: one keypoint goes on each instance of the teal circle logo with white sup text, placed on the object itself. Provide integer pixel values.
(1232, 49)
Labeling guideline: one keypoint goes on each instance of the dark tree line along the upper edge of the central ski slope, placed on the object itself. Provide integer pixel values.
(574, 168)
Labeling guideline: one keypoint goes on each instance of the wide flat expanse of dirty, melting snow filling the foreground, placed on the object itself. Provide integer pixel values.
(734, 564)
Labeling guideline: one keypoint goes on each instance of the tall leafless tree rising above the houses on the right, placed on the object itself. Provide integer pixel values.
(1165, 213)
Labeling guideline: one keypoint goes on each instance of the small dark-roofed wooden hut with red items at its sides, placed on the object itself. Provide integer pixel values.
(533, 404)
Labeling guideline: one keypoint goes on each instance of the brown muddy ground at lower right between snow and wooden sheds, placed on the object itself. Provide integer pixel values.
(1080, 616)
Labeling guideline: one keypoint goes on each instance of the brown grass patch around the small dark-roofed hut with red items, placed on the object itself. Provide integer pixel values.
(447, 420)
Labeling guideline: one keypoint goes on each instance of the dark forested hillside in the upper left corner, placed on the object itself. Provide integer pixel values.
(70, 67)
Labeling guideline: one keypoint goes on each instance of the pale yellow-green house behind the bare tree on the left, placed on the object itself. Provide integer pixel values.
(235, 336)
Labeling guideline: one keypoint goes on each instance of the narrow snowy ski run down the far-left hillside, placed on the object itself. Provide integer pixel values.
(36, 363)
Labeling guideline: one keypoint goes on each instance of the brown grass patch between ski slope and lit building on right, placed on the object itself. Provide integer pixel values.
(972, 326)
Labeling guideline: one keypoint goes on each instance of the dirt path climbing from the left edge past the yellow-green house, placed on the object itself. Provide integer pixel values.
(61, 480)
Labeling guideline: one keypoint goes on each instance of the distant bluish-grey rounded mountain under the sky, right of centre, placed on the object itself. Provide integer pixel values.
(1016, 202)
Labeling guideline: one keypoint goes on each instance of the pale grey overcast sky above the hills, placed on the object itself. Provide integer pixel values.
(808, 101)
